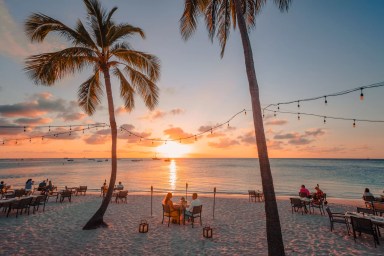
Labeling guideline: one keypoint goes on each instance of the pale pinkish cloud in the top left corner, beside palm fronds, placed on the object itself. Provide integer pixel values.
(13, 41)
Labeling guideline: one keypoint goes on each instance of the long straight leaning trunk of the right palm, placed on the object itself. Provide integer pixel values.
(274, 236)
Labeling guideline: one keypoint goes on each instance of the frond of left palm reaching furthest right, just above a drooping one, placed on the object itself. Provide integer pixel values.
(146, 63)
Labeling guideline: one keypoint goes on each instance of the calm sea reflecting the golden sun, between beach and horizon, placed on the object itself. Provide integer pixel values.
(340, 178)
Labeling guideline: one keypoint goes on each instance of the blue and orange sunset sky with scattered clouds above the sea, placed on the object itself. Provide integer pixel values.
(314, 49)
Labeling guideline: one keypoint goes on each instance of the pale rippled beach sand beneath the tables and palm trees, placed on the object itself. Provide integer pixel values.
(238, 229)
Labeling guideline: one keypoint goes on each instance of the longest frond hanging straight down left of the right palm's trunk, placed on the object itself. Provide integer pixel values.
(224, 21)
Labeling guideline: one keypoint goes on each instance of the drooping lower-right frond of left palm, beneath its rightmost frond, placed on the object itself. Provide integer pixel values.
(146, 88)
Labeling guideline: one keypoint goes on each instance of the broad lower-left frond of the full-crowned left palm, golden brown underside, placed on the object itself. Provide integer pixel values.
(47, 68)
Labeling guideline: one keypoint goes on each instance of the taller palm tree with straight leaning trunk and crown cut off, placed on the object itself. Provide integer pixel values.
(219, 14)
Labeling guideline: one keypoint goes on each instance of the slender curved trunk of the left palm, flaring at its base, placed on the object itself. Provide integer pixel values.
(97, 219)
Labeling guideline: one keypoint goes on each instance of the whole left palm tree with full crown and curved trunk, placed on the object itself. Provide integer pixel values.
(100, 46)
